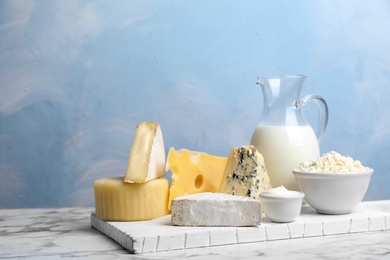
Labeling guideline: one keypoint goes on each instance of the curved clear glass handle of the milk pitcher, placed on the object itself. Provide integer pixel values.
(323, 114)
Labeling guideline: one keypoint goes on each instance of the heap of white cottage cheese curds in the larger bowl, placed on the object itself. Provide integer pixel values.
(332, 162)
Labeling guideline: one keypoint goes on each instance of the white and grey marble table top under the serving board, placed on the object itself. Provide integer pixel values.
(67, 233)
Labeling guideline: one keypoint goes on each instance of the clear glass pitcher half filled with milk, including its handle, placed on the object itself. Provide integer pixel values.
(283, 135)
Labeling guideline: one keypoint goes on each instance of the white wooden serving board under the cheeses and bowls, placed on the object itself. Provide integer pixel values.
(159, 235)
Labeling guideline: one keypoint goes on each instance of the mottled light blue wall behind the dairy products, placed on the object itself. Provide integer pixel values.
(77, 76)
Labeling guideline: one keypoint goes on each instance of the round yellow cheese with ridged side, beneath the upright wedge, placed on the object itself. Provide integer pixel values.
(117, 200)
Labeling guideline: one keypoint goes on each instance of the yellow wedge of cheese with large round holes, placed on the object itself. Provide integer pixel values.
(194, 172)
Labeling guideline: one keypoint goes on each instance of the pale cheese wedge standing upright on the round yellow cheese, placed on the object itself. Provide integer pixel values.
(147, 154)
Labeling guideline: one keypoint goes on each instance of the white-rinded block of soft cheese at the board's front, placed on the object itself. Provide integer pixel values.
(215, 209)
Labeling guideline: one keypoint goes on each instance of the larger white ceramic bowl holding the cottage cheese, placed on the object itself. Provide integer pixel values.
(334, 193)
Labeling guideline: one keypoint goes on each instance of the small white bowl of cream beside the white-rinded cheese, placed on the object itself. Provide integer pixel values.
(282, 208)
